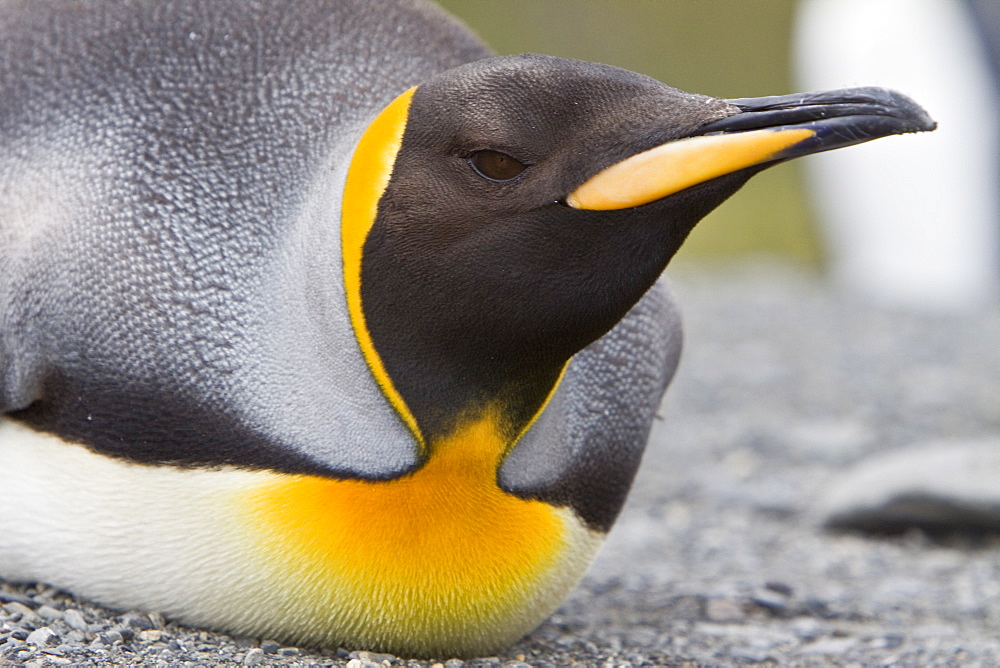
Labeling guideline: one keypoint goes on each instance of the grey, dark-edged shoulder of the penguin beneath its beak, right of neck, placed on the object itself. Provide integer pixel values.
(584, 449)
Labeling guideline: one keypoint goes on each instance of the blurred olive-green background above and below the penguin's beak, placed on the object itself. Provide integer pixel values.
(723, 48)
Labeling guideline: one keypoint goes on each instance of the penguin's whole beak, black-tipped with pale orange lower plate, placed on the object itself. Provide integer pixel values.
(765, 131)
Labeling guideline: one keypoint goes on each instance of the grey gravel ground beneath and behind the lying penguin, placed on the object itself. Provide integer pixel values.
(719, 557)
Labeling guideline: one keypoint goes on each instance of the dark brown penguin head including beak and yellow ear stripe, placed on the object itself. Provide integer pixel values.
(506, 213)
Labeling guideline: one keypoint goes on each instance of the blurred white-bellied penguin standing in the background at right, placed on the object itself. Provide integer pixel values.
(911, 224)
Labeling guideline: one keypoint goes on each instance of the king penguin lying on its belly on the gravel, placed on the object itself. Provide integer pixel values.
(320, 322)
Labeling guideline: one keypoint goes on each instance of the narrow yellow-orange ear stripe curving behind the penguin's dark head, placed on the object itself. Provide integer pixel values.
(367, 178)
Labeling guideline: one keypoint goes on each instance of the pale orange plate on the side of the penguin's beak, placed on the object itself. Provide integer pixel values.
(674, 166)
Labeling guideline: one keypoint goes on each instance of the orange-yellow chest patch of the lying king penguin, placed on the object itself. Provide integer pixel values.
(440, 556)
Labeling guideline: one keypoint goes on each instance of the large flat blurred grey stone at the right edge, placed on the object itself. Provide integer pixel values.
(938, 485)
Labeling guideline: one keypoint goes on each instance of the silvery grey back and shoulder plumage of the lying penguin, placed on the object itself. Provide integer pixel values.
(170, 276)
